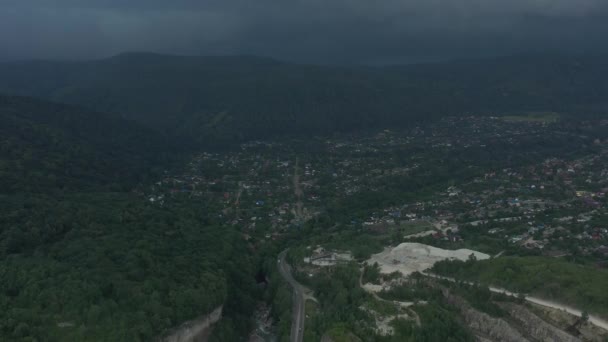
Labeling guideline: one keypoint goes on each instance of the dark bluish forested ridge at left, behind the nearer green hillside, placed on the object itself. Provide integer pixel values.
(47, 146)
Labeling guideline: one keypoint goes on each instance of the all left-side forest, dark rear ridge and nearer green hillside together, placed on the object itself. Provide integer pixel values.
(85, 258)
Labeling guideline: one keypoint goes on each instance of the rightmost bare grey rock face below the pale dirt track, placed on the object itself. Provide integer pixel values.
(535, 326)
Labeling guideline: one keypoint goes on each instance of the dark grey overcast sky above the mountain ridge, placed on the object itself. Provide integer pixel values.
(314, 31)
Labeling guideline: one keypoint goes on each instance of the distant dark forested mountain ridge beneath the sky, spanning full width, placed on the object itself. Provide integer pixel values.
(217, 100)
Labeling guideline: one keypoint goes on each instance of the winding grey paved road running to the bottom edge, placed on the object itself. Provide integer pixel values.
(300, 294)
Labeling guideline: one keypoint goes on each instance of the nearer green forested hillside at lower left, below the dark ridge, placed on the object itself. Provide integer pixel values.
(107, 267)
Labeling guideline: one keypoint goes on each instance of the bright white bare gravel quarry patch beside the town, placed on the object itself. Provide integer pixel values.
(411, 257)
